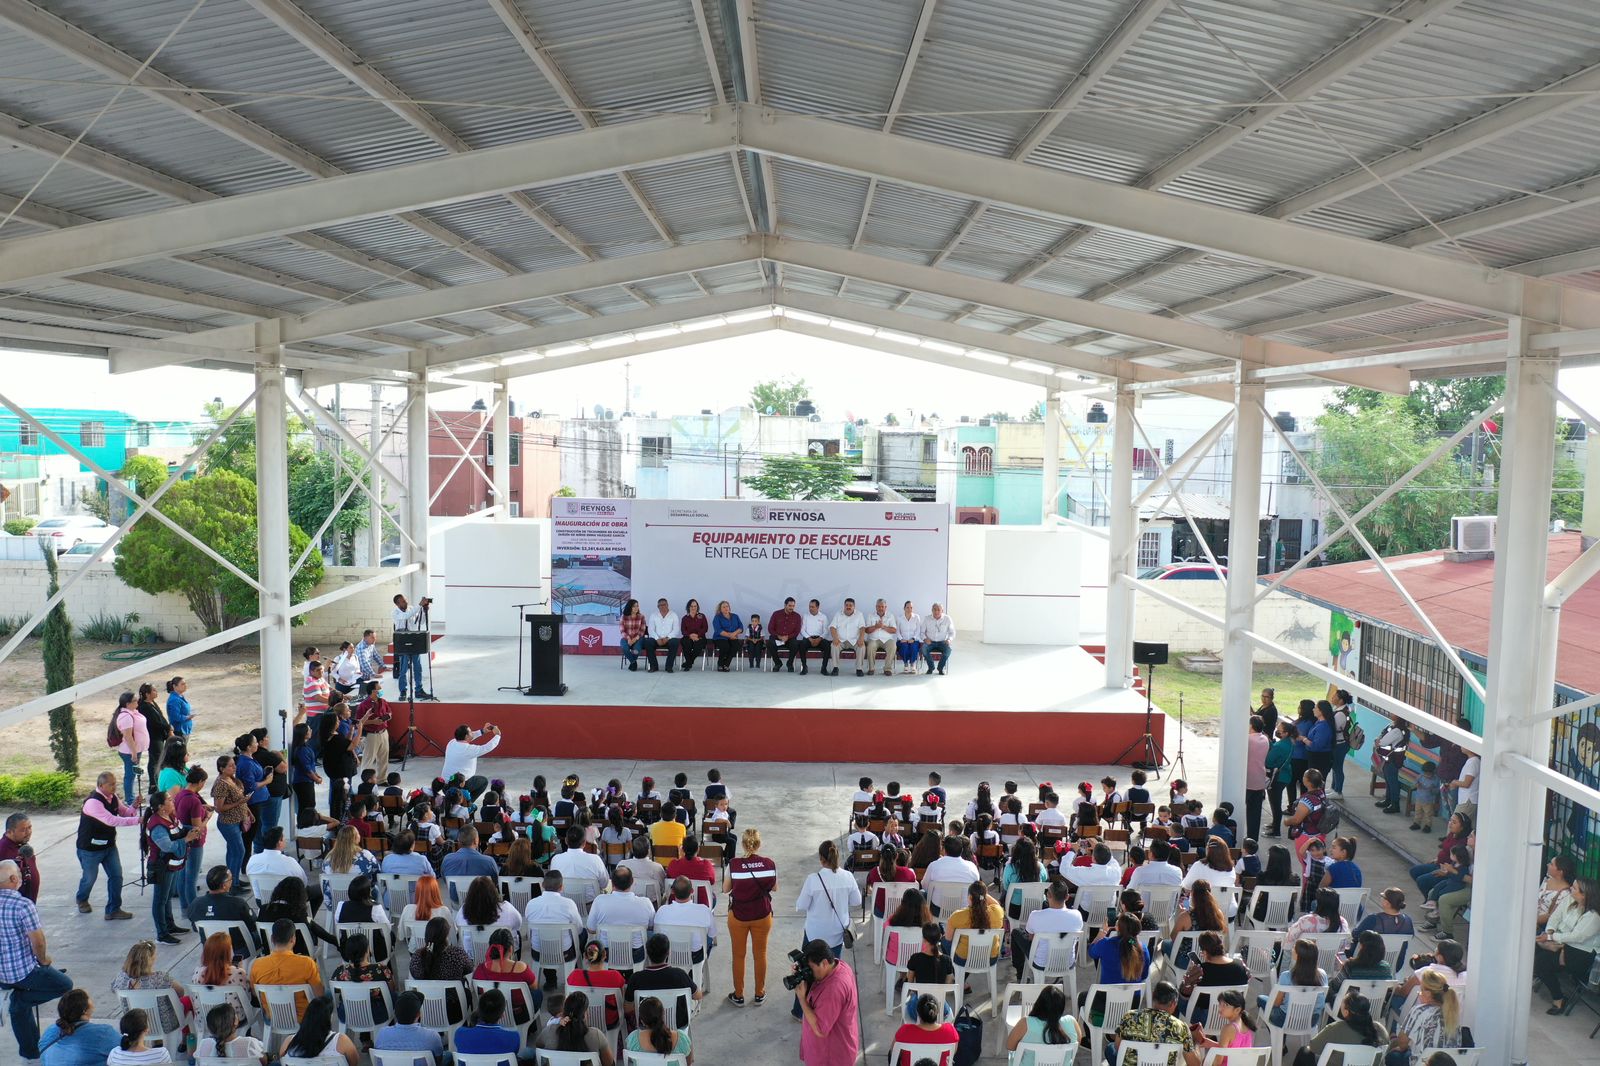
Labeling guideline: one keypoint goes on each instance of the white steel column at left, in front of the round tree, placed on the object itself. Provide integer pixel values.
(273, 534)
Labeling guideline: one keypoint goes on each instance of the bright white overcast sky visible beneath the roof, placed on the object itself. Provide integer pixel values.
(846, 383)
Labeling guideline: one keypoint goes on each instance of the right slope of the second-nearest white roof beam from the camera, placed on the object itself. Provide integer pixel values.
(1031, 302)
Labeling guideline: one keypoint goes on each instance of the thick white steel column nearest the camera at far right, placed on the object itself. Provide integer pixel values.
(1522, 675)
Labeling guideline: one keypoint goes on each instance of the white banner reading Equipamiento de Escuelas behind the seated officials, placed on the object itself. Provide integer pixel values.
(754, 555)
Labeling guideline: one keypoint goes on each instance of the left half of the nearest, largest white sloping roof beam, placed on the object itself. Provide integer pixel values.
(335, 201)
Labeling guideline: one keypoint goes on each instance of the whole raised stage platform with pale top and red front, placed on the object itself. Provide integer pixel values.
(998, 703)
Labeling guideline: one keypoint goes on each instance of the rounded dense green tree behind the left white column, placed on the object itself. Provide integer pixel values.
(220, 510)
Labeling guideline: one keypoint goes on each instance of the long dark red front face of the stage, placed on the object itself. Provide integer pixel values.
(577, 731)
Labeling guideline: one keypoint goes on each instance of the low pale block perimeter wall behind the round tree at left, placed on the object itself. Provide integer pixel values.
(25, 587)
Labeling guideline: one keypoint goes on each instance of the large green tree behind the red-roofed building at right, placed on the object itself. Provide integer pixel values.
(1362, 451)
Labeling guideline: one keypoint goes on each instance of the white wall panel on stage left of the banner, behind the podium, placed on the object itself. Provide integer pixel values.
(494, 566)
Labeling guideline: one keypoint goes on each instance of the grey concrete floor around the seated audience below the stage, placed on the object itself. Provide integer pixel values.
(796, 808)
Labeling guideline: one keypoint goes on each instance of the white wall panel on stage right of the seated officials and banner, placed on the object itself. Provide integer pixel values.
(1031, 587)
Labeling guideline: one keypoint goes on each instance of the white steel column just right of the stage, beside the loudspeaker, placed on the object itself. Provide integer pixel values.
(1244, 535)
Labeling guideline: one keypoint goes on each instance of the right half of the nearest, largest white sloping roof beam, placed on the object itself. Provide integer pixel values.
(1150, 214)
